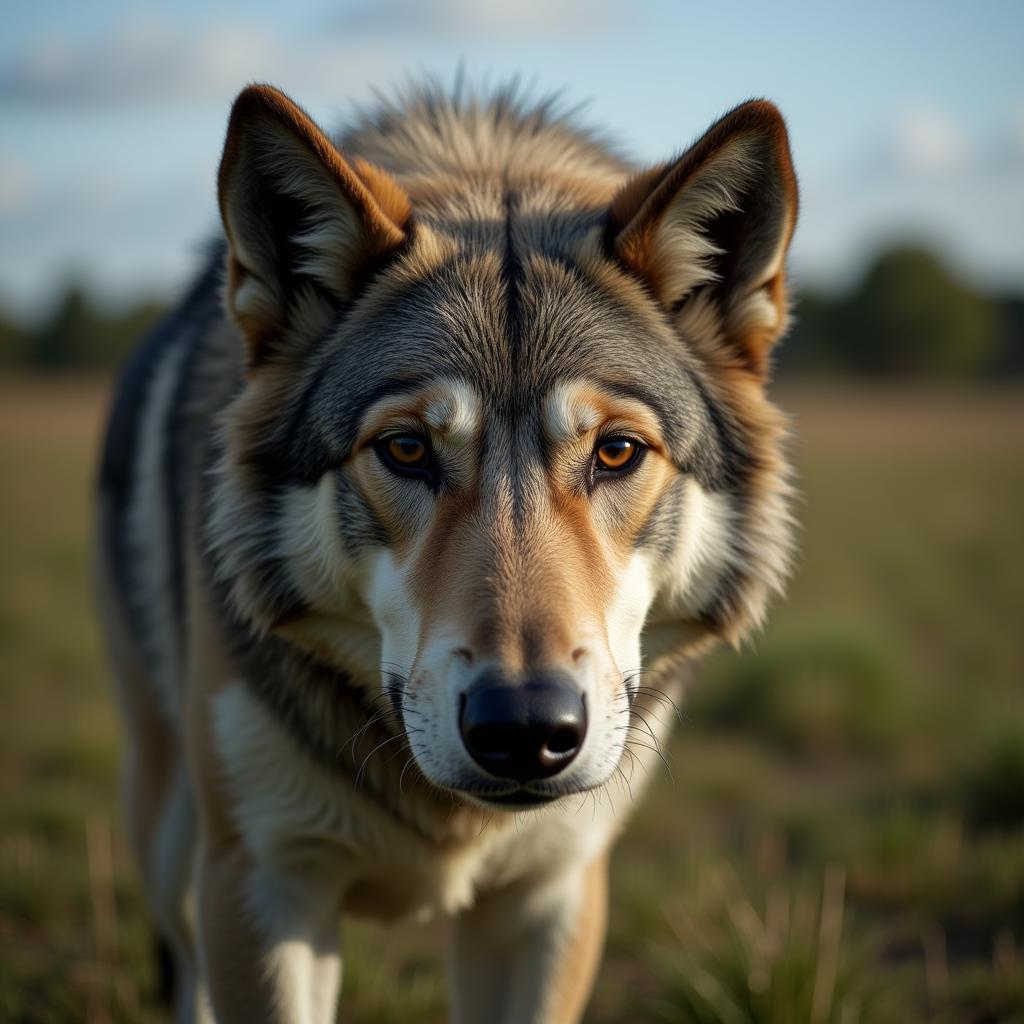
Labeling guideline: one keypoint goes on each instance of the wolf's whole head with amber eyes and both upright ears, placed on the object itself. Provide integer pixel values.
(496, 426)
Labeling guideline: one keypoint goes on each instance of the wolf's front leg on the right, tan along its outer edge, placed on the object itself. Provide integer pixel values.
(528, 955)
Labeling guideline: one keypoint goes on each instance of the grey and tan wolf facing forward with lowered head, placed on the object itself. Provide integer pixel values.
(411, 519)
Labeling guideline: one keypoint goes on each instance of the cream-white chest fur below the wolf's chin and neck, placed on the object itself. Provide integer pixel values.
(291, 810)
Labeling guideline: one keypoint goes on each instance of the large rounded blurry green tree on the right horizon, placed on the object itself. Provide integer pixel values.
(911, 316)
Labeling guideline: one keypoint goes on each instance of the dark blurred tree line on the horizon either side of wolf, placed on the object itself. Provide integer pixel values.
(909, 316)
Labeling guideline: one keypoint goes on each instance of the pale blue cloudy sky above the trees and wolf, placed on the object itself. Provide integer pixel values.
(907, 118)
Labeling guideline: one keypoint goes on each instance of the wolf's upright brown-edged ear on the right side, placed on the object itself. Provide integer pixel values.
(714, 227)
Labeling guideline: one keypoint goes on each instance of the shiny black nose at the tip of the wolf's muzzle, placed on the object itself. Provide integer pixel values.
(525, 731)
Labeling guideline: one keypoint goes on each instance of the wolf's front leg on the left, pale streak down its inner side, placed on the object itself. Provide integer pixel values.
(269, 942)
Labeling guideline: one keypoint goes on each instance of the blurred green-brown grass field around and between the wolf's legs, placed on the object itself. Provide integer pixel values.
(844, 839)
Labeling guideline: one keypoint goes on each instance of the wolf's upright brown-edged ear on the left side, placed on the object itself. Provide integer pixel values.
(304, 225)
